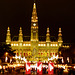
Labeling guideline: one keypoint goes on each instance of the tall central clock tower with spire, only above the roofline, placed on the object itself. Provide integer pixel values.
(34, 24)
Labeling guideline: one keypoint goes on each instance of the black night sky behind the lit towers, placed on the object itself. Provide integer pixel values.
(51, 13)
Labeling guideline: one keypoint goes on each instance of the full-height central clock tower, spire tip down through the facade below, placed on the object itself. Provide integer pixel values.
(34, 33)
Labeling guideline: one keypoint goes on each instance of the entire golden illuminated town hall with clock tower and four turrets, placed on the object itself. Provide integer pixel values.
(35, 49)
